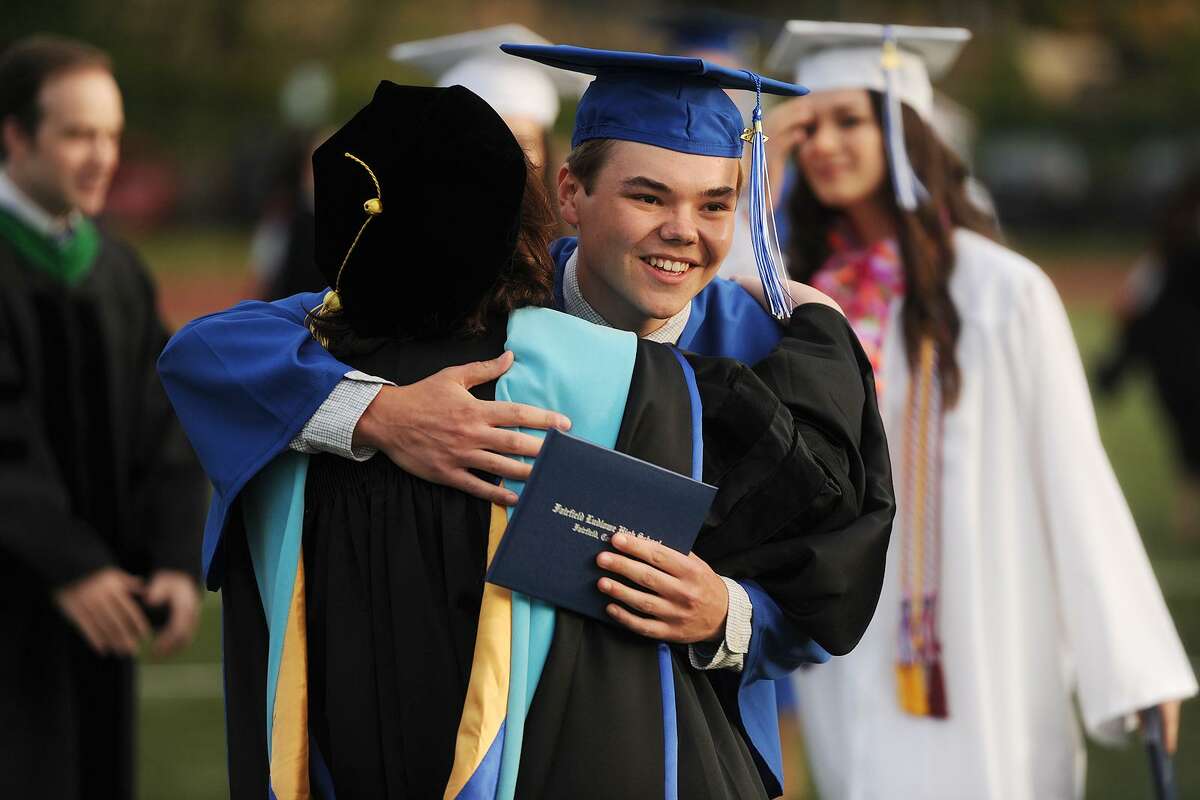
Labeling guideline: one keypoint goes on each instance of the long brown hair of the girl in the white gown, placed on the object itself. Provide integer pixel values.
(926, 239)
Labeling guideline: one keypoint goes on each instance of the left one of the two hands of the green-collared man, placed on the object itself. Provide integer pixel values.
(104, 607)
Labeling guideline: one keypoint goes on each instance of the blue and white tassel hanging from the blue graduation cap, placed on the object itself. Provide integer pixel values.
(764, 237)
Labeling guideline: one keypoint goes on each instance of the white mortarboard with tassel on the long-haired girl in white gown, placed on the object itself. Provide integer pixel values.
(901, 62)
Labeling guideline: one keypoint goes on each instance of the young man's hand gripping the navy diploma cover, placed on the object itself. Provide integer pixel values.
(686, 601)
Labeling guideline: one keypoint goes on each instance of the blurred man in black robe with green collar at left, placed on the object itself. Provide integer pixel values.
(103, 497)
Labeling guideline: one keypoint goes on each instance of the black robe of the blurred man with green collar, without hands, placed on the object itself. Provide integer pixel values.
(95, 472)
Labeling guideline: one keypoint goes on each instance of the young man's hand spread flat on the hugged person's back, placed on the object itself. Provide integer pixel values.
(436, 430)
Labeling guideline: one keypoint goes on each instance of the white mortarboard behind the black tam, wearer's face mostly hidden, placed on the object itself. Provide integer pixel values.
(513, 87)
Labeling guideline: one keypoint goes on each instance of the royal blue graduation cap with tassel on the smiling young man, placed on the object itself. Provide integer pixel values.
(680, 104)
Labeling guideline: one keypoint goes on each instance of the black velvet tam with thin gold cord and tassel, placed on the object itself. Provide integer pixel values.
(451, 182)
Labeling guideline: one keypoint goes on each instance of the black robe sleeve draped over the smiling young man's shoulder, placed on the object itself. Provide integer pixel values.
(796, 447)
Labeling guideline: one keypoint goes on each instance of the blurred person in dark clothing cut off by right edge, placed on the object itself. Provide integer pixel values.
(1160, 312)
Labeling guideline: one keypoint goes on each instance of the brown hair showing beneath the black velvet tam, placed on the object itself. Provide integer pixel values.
(526, 280)
